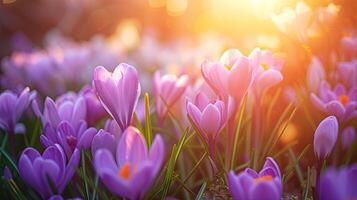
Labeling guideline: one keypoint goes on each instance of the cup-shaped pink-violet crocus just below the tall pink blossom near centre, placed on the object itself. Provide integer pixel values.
(209, 116)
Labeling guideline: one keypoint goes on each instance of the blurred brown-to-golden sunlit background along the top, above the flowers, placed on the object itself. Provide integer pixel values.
(239, 20)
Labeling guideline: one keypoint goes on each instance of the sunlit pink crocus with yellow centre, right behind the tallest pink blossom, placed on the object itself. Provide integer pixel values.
(266, 70)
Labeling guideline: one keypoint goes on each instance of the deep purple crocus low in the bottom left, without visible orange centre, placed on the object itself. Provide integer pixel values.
(36, 170)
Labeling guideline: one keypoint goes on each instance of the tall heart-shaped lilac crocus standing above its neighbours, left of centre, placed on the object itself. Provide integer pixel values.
(118, 92)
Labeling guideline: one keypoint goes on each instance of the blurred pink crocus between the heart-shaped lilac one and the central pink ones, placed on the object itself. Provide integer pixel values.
(167, 91)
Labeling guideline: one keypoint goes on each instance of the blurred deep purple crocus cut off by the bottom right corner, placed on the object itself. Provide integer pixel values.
(338, 184)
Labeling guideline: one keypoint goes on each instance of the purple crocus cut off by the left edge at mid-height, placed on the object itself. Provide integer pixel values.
(11, 108)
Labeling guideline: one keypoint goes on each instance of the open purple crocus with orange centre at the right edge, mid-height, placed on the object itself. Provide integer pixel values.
(338, 102)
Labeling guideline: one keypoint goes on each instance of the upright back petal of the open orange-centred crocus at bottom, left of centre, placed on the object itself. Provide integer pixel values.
(132, 147)
